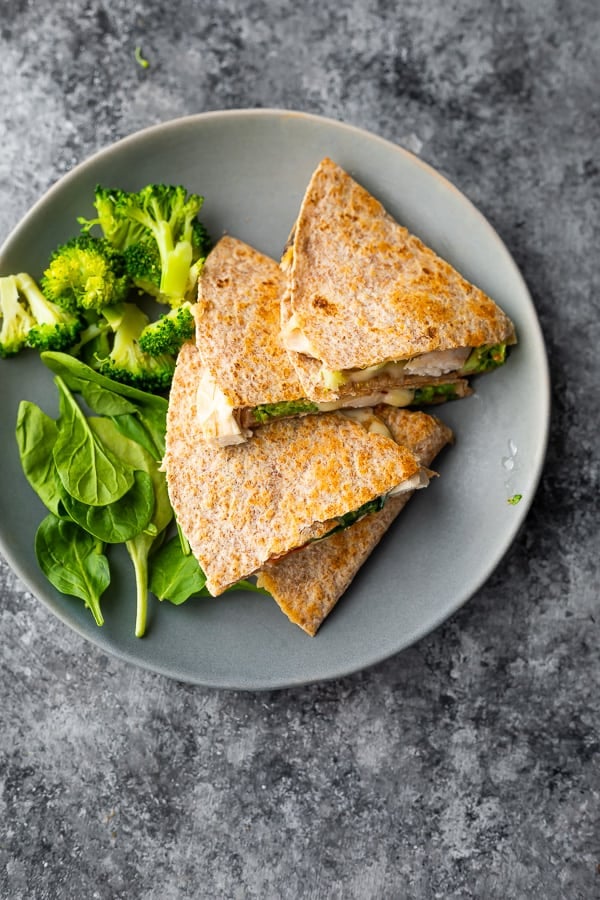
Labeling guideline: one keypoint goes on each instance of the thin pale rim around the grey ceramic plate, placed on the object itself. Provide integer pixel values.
(433, 623)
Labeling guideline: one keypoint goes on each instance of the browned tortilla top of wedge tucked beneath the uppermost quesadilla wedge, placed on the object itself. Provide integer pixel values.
(237, 326)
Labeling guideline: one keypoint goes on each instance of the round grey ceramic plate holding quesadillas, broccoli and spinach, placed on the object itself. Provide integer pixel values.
(252, 167)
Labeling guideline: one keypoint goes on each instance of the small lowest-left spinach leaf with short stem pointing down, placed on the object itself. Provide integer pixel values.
(73, 562)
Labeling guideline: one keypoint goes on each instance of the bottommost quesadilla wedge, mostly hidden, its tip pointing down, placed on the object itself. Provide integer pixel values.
(308, 583)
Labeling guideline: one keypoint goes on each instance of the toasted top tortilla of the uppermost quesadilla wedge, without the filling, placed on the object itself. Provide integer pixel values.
(364, 290)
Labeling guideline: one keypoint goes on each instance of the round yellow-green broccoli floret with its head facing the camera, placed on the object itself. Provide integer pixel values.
(86, 273)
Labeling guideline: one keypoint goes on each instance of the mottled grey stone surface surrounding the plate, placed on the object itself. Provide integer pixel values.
(467, 766)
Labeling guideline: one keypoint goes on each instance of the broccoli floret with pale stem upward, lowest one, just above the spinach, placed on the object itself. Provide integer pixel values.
(126, 362)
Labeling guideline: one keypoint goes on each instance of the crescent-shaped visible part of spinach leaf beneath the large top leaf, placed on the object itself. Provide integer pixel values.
(120, 521)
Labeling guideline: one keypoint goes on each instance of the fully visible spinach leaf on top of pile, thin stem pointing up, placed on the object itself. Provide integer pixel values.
(88, 471)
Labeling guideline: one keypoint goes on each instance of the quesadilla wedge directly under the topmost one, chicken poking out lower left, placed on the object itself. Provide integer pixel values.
(247, 377)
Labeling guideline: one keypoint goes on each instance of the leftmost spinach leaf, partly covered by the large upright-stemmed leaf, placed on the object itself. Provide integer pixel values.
(36, 435)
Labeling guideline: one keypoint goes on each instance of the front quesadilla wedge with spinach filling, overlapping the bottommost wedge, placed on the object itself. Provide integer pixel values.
(297, 481)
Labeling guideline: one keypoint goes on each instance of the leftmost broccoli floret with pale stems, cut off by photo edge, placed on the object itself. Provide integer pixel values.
(29, 319)
